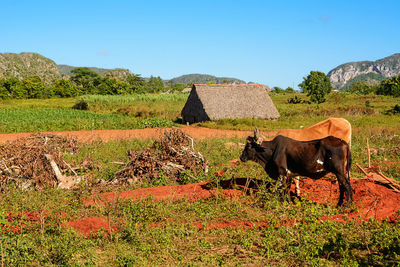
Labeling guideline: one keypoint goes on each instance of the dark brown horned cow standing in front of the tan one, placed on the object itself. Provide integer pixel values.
(286, 157)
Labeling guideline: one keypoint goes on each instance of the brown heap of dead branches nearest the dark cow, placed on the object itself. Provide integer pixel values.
(172, 156)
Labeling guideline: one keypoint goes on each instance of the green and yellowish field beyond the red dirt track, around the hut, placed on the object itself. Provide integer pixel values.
(126, 112)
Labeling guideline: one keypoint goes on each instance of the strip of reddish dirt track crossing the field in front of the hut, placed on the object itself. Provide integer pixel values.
(142, 134)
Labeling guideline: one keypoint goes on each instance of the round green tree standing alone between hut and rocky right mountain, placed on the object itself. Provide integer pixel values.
(317, 85)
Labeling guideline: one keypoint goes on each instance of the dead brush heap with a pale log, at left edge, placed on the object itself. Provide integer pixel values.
(35, 161)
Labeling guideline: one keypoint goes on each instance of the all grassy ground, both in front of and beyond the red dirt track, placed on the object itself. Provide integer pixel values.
(163, 233)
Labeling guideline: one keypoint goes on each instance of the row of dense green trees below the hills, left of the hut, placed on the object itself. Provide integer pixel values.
(82, 81)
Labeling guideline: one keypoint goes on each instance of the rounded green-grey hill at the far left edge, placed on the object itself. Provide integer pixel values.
(25, 65)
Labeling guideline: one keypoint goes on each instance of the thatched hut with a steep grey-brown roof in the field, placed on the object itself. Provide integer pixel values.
(219, 101)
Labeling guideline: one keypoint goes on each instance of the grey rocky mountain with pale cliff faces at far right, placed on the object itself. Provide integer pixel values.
(370, 71)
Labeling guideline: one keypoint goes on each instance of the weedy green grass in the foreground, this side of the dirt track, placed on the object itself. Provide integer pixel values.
(163, 233)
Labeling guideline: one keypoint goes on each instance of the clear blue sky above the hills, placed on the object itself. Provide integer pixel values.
(272, 42)
